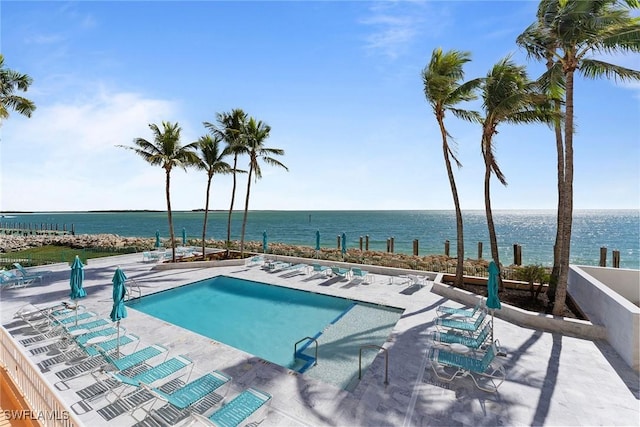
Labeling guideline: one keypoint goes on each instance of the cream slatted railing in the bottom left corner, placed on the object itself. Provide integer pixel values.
(45, 404)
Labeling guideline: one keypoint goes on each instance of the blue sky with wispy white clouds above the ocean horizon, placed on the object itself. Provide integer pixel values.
(338, 82)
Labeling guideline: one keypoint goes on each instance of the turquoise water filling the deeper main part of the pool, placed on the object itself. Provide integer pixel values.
(260, 319)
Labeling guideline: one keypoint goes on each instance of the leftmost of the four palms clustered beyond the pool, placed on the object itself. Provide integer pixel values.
(165, 151)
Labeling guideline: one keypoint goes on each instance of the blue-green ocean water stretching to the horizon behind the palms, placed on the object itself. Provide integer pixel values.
(534, 231)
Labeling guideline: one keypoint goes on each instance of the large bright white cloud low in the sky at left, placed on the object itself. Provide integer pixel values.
(65, 157)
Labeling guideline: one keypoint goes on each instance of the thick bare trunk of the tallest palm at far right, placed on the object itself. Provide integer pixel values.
(567, 203)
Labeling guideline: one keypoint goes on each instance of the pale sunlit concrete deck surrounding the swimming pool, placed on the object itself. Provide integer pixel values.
(552, 379)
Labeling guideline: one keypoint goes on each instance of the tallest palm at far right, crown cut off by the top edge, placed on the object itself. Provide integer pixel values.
(566, 34)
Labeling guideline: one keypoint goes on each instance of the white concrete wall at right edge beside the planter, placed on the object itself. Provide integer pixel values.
(604, 306)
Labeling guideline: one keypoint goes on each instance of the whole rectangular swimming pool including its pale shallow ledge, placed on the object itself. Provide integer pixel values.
(267, 320)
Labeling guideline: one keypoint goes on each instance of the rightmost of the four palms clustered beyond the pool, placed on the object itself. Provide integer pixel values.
(257, 133)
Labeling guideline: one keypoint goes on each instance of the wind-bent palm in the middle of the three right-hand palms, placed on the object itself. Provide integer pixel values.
(508, 96)
